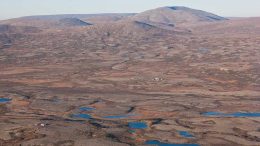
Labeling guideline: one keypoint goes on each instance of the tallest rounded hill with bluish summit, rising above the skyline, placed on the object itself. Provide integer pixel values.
(172, 16)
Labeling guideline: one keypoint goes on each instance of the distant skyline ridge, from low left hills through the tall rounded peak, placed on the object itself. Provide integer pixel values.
(169, 15)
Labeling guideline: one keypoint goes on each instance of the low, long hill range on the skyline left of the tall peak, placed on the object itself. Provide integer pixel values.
(47, 21)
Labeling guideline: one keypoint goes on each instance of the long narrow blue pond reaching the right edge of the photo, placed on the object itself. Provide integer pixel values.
(237, 114)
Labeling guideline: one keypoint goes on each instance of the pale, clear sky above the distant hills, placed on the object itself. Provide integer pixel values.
(227, 8)
